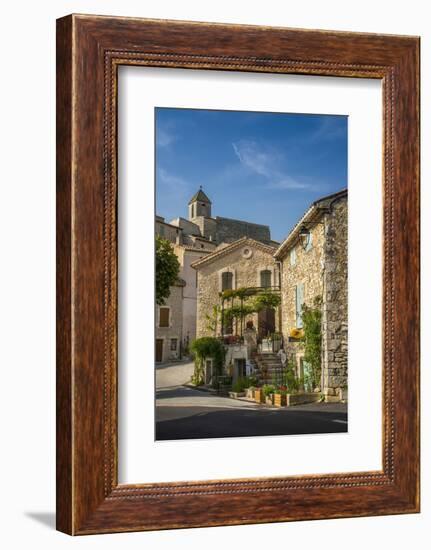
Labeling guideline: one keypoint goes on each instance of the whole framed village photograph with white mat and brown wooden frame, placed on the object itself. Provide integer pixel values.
(237, 274)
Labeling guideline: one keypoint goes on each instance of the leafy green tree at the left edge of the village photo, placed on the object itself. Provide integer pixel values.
(167, 269)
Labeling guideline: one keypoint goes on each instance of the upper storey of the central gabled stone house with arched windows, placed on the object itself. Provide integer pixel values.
(245, 263)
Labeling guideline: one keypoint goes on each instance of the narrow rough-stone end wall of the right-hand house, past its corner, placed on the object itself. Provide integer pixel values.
(335, 305)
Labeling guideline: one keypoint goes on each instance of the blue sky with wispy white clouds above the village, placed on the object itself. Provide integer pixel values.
(259, 167)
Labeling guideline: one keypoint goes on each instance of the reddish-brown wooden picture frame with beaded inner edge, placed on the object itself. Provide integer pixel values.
(89, 51)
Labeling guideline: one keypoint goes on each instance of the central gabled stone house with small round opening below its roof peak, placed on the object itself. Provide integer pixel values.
(242, 264)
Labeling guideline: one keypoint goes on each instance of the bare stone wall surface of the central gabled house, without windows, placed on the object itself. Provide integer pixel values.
(246, 274)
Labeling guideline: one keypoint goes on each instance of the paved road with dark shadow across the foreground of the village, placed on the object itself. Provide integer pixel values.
(187, 413)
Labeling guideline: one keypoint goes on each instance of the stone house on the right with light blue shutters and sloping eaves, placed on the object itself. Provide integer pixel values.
(313, 261)
